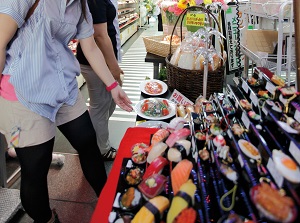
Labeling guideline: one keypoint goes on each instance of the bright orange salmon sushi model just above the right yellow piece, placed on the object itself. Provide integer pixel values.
(180, 174)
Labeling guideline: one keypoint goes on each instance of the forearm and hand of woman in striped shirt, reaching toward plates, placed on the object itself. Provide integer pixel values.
(97, 62)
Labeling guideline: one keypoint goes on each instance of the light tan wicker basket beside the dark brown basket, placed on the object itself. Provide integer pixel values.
(154, 45)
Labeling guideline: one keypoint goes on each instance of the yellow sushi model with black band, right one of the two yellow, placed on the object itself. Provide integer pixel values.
(182, 200)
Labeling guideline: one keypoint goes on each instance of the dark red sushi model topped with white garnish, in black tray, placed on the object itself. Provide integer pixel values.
(152, 186)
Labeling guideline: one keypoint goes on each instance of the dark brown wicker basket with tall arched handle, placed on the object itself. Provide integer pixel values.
(190, 82)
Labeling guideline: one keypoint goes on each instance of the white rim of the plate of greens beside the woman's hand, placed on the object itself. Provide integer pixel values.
(172, 109)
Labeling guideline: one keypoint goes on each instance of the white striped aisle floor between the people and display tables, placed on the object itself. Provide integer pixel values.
(136, 70)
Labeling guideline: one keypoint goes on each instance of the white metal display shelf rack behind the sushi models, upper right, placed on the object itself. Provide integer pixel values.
(279, 13)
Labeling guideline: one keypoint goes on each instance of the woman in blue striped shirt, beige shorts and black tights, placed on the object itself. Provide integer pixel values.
(38, 92)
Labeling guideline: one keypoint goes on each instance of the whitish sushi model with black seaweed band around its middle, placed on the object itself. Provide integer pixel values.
(179, 151)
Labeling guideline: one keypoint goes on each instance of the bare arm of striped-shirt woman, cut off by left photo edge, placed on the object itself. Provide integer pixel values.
(8, 28)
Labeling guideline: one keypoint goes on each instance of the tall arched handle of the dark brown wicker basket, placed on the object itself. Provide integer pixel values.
(183, 13)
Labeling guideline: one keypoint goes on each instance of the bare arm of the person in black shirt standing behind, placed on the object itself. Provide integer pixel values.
(104, 43)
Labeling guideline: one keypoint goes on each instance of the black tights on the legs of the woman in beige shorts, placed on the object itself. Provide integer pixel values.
(35, 162)
